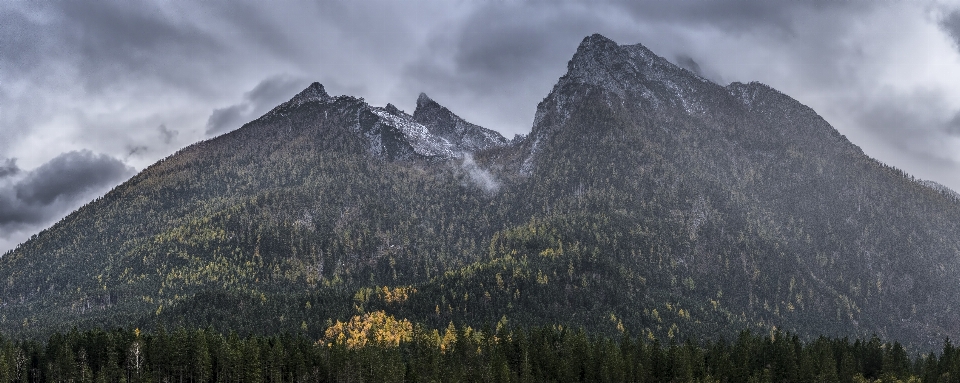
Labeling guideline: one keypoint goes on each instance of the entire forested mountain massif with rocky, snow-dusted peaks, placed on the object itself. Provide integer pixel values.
(645, 199)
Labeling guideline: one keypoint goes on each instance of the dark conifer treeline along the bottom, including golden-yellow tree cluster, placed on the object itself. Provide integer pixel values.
(377, 347)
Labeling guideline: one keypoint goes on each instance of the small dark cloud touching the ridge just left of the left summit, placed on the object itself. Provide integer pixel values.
(265, 96)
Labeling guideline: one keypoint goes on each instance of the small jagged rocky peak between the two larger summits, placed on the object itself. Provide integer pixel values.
(441, 122)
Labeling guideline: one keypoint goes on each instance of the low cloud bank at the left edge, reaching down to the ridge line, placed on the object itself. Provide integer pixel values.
(32, 200)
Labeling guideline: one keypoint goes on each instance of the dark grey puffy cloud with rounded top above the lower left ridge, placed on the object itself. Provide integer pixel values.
(70, 175)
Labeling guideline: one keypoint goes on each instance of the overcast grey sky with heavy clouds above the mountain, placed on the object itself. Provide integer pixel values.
(92, 92)
